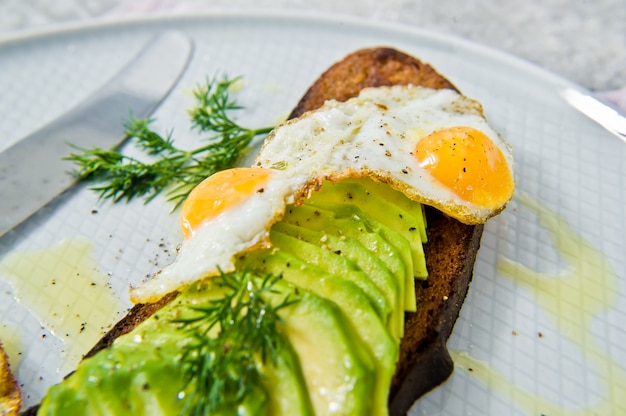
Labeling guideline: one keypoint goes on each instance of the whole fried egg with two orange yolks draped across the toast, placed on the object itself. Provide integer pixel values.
(435, 146)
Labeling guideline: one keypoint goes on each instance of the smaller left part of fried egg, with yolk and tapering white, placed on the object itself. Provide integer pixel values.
(228, 213)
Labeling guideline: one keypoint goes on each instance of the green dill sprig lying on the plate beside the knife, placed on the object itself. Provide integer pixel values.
(125, 177)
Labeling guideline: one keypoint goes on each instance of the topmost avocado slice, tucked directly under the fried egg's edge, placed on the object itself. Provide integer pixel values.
(381, 210)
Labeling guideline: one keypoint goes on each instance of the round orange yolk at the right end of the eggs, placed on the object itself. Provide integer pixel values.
(469, 163)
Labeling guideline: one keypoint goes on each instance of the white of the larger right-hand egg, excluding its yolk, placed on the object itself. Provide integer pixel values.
(375, 134)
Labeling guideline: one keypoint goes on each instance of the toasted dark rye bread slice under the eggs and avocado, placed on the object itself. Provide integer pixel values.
(451, 250)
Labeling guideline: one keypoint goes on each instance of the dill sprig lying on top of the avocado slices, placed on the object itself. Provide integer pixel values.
(222, 370)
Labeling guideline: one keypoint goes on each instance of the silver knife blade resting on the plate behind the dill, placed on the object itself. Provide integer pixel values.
(33, 172)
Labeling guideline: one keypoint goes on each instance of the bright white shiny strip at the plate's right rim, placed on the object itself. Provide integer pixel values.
(601, 113)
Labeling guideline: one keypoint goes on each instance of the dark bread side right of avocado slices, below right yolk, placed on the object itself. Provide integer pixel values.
(424, 361)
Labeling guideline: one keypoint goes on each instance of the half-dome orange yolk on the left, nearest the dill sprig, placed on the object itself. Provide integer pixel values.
(217, 193)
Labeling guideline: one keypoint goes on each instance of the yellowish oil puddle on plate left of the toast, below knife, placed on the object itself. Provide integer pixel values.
(65, 291)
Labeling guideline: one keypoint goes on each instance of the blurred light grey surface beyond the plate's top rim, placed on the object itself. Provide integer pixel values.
(582, 40)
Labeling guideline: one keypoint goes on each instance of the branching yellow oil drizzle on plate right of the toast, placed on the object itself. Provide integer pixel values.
(571, 300)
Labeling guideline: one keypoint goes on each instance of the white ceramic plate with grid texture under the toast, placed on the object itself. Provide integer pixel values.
(542, 330)
